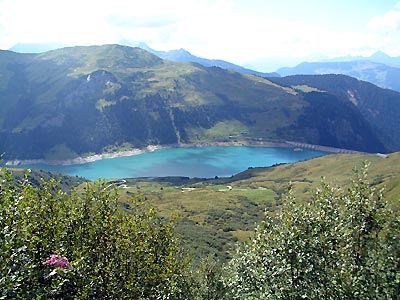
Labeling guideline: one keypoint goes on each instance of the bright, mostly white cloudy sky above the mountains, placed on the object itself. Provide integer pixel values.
(255, 33)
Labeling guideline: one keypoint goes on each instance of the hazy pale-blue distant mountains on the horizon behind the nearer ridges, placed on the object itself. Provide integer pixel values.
(379, 68)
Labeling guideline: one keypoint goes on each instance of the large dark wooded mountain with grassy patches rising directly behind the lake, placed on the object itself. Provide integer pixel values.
(82, 100)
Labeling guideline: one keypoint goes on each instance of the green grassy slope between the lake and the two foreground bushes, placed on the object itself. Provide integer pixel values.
(212, 214)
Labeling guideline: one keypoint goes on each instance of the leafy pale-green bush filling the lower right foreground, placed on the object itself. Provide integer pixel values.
(341, 245)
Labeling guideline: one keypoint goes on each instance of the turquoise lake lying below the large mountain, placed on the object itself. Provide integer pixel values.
(202, 162)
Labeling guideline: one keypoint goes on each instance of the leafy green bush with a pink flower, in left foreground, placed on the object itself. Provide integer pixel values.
(59, 246)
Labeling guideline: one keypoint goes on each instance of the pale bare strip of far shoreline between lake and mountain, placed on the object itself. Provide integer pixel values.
(297, 146)
